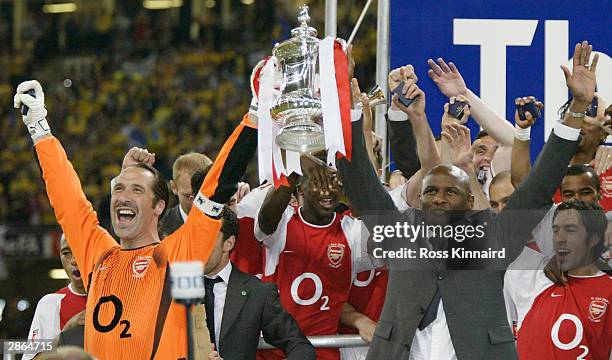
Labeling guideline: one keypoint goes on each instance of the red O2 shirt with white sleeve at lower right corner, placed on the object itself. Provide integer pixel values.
(559, 322)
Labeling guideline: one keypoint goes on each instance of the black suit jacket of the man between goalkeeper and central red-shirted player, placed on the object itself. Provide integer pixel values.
(251, 307)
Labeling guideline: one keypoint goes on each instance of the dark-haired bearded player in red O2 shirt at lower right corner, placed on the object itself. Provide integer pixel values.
(569, 319)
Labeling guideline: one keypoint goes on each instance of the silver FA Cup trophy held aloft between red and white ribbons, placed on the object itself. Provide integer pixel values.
(298, 109)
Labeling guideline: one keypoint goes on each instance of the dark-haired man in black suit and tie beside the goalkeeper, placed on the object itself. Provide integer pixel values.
(239, 306)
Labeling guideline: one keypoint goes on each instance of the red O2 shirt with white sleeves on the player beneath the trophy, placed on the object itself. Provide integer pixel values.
(313, 267)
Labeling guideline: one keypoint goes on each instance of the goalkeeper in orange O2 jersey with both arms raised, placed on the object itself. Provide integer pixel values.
(130, 314)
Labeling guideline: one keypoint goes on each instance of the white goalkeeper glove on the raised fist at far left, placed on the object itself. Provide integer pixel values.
(35, 119)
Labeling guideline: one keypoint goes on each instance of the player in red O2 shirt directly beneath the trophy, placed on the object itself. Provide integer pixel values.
(311, 252)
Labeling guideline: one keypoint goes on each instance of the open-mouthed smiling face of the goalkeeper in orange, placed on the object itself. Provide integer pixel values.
(134, 213)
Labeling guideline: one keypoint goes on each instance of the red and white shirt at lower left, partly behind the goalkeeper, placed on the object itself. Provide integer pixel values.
(52, 313)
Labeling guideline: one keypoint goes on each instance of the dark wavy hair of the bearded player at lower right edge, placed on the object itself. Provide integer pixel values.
(593, 218)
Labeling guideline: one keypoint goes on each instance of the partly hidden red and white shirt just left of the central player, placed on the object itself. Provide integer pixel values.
(247, 254)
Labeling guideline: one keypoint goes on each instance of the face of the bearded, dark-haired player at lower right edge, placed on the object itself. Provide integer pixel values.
(571, 242)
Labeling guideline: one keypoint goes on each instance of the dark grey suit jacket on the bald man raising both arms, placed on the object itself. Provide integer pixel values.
(473, 300)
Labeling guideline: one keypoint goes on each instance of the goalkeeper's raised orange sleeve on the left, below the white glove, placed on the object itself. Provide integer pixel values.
(75, 214)
